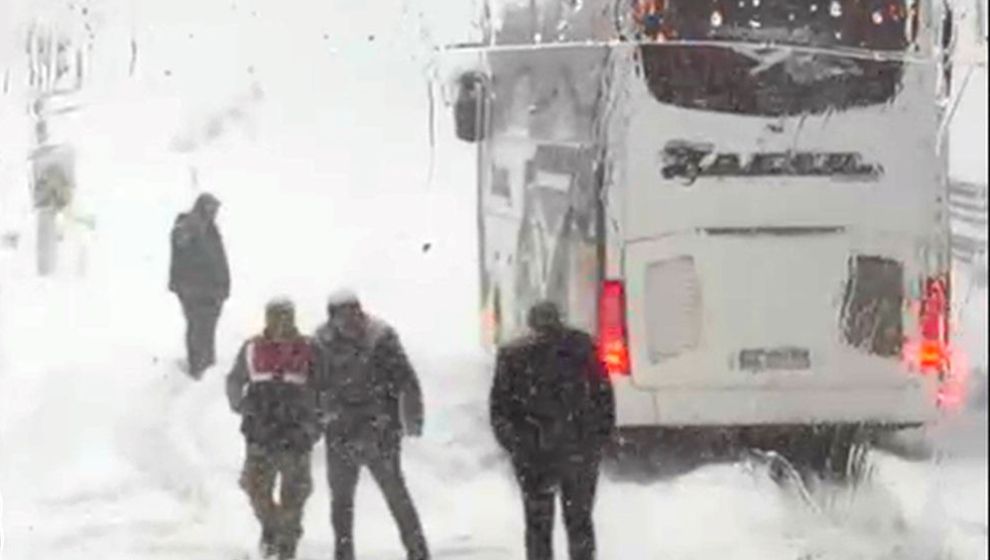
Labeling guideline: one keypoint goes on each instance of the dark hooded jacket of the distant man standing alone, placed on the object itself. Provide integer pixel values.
(199, 267)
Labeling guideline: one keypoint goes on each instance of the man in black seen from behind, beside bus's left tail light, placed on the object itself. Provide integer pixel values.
(552, 410)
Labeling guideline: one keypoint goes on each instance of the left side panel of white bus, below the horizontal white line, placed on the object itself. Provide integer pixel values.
(538, 202)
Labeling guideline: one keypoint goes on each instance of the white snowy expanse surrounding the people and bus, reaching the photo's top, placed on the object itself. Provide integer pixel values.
(315, 134)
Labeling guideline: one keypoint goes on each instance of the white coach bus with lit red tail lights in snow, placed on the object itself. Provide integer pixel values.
(744, 199)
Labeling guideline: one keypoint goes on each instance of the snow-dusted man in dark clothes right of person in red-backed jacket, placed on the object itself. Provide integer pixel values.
(371, 396)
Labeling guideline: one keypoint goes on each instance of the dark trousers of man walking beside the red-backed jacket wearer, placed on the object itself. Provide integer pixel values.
(344, 462)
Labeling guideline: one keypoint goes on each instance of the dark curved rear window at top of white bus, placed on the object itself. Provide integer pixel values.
(728, 55)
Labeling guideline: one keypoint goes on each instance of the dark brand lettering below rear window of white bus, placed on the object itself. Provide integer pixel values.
(688, 161)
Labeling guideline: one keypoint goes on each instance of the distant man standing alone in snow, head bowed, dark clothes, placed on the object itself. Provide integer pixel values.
(200, 277)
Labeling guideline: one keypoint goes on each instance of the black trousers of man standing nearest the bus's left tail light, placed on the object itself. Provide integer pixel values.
(576, 479)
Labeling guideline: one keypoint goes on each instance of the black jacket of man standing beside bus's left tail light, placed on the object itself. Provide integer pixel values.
(551, 397)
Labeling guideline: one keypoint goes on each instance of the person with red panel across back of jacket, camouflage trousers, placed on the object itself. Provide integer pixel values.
(273, 387)
